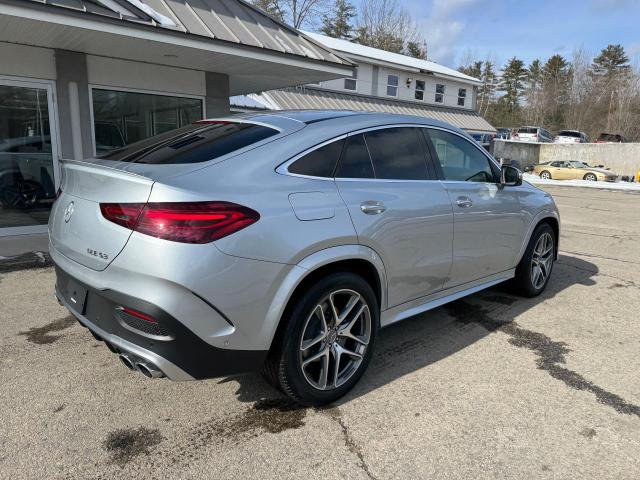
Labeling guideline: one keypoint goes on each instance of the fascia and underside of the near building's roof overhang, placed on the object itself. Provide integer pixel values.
(250, 69)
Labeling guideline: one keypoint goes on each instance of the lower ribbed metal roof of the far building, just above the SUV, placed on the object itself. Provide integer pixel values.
(312, 99)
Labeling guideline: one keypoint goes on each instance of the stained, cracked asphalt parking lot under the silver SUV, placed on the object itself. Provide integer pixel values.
(492, 386)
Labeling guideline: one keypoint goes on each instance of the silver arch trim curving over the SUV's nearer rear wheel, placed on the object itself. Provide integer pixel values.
(311, 263)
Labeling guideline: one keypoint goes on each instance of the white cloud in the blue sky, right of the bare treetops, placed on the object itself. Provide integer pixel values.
(442, 27)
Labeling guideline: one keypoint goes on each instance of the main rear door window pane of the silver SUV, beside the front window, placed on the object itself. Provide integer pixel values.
(397, 153)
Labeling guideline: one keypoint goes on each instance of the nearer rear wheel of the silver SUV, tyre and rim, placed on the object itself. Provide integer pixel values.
(327, 342)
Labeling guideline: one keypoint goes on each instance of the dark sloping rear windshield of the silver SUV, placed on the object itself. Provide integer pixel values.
(196, 143)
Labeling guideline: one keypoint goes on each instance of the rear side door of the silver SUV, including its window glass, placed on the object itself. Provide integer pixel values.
(398, 208)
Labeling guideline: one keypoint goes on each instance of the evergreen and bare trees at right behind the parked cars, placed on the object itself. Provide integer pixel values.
(593, 95)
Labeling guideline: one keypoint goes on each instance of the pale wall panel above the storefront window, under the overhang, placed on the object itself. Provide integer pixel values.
(144, 76)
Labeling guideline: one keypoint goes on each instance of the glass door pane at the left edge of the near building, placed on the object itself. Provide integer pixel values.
(27, 186)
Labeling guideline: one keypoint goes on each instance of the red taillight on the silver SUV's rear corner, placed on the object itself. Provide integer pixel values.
(194, 222)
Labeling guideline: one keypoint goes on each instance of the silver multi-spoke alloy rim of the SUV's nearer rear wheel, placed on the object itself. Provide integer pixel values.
(334, 339)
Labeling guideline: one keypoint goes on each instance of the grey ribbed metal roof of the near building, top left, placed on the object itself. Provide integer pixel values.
(232, 21)
